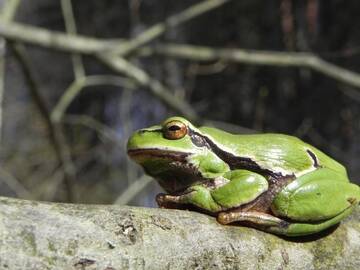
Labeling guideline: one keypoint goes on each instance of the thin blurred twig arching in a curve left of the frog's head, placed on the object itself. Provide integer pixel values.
(76, 87)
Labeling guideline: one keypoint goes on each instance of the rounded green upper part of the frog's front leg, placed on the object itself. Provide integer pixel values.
(244, 186)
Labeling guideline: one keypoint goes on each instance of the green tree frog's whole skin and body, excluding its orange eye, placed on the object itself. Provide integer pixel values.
(273, 182)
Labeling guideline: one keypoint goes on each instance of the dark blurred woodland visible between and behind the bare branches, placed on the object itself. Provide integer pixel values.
(293, 100)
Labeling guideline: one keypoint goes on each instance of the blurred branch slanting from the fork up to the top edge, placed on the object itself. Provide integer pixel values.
(172, 21)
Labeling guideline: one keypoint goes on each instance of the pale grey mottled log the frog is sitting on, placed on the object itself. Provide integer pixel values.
(40, 235)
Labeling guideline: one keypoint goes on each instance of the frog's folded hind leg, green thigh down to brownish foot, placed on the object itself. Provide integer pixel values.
(309, 204)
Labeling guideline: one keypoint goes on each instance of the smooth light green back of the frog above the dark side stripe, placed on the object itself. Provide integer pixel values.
(279, 152)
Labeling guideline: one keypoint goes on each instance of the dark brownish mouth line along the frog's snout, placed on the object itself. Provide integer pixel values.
(157, 153)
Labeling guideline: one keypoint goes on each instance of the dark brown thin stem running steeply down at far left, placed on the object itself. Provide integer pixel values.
(56, 135)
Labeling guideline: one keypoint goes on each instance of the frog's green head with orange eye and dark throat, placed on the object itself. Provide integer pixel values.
(175, 153)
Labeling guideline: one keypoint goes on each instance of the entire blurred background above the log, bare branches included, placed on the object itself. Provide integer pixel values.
(78, 77)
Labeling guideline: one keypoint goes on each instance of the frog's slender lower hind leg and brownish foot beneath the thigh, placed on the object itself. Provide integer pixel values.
(270, 223)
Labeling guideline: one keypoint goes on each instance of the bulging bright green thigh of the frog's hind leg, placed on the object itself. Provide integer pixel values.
(315, 196)
